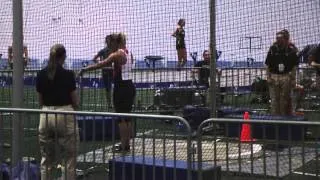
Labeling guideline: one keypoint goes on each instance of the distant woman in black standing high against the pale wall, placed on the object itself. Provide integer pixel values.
(179, 34)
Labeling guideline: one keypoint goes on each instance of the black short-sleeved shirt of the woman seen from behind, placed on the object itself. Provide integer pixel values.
(56, 92)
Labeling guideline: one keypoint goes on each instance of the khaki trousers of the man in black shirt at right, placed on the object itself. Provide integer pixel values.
(280, 86)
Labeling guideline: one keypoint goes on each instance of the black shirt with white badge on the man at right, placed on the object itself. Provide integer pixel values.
(282, 60)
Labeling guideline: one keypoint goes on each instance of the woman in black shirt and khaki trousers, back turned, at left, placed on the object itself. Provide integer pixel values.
(56, 88)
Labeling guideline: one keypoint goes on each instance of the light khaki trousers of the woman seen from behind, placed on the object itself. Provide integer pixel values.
(58, 138)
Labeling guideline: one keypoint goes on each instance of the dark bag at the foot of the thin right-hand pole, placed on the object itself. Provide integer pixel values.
(195, 115)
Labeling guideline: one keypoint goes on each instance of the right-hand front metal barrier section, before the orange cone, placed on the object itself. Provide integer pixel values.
(260, 149)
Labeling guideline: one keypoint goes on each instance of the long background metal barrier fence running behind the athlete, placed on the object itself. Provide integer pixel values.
(167, 91)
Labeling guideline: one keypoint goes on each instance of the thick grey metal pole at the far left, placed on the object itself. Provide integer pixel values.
(17, 79)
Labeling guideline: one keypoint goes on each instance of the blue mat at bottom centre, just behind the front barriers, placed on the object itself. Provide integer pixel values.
(162, 168)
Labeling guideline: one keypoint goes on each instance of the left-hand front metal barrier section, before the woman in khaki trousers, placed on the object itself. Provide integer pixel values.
(158, 147)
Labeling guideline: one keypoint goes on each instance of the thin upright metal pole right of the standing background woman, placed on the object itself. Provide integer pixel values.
(213, 84)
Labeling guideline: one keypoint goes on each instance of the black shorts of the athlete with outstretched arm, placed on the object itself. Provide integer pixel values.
(124, 93)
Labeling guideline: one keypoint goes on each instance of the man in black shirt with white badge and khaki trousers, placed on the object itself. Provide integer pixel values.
(281, 63)
